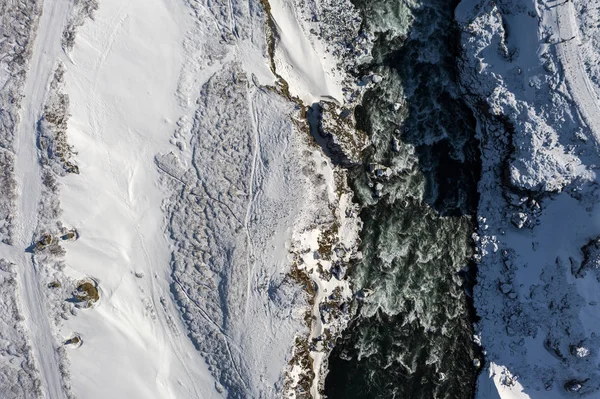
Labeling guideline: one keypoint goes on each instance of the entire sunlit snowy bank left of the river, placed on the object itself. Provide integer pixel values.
(161, 162)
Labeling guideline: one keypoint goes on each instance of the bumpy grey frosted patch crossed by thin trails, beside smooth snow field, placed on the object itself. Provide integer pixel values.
(231, 218)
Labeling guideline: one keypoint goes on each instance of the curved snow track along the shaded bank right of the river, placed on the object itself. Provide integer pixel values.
(578, 82)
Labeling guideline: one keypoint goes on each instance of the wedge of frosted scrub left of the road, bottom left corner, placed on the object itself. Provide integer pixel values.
(19, 377)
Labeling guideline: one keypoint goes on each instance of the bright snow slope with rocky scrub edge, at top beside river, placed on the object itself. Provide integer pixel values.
(316, 45)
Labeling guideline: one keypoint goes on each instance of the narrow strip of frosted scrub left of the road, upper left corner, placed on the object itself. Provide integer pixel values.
(18, 24)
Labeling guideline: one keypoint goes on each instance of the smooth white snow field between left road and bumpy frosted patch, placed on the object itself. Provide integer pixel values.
(121, 84)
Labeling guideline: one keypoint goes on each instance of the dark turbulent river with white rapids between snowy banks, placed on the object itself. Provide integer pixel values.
(412, 337)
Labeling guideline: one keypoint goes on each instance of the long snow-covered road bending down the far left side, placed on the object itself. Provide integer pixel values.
(46, 50)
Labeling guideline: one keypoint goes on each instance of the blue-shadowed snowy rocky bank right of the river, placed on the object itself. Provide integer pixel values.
(536, 290)
